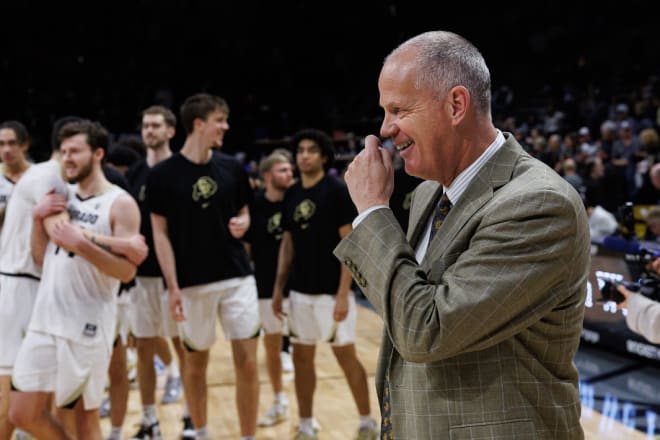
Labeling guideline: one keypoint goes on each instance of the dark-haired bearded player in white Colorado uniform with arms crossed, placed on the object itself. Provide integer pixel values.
(67, 348)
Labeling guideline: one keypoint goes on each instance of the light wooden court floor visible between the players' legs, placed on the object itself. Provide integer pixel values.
(333, 405)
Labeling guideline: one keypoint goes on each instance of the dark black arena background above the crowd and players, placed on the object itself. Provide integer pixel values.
(286, 65)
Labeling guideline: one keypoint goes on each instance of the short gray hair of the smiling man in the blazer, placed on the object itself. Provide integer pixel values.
(445, 60)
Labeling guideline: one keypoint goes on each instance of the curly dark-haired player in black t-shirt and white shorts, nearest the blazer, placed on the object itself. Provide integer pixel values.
(317, 213)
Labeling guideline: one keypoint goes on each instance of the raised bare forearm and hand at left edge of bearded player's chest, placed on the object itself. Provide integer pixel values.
(48, 211)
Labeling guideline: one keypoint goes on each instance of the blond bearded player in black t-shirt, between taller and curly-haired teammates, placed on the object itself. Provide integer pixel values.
(263, 242)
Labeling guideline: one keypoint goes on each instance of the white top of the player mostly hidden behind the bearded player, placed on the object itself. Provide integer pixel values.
(15, 255)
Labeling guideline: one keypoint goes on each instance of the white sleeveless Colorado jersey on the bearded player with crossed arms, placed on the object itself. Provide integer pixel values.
(75, 299)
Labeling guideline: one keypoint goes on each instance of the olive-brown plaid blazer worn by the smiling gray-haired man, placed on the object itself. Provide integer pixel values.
(479, 339)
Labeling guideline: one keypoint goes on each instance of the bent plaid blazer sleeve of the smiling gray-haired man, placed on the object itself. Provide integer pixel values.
(513, 262)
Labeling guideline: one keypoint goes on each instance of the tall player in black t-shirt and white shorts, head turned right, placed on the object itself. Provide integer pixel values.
(198, 201)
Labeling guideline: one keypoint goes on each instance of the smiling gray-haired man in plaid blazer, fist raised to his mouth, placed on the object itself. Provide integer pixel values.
(481, 322)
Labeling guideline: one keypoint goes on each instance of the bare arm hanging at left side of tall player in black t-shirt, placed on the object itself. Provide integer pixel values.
(167, 263)
